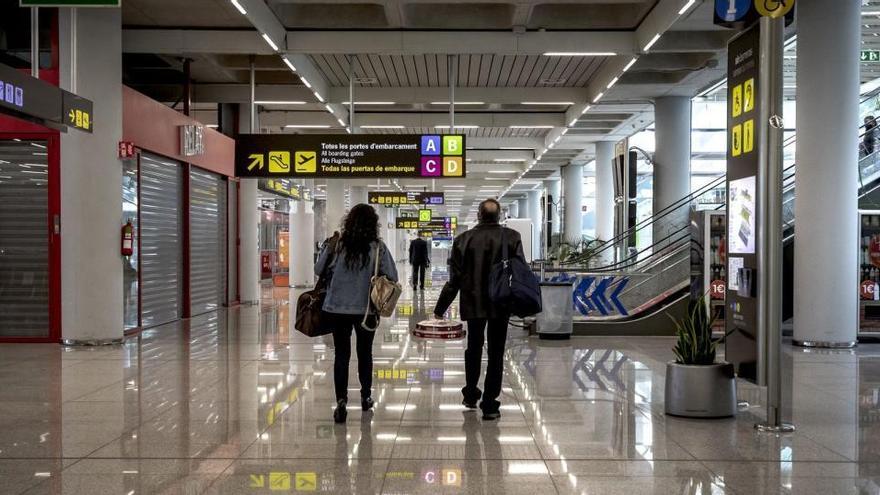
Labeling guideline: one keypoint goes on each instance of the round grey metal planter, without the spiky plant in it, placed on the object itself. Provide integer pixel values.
(694, 391)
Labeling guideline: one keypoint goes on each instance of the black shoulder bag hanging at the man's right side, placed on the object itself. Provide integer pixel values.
(512, 284)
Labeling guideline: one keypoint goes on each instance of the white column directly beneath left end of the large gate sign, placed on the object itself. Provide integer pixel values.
(249, 250)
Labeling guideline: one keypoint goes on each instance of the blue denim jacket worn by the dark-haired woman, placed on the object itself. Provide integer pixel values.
(350, 288)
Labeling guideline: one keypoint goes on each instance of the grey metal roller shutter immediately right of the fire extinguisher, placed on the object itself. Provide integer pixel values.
(161, 240)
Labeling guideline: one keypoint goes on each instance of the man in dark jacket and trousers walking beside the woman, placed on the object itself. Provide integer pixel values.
(473, 254)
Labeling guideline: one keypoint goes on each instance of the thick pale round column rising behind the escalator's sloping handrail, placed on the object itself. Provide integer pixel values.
(672, 159)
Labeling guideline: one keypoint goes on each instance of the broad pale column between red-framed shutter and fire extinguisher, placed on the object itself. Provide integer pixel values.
(91, 180)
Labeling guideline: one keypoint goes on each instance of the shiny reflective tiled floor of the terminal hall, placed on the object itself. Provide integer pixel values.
(238, 402)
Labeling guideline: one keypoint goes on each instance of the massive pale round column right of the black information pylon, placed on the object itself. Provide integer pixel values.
(826, 238)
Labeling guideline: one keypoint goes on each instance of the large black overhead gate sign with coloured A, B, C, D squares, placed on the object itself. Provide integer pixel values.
(343, 156)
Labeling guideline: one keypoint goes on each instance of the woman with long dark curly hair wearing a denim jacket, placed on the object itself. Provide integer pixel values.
(351, 271)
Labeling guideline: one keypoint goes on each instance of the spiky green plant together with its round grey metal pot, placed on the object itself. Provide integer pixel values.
(697, 386)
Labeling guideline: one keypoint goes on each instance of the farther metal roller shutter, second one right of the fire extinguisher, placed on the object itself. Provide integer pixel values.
(207, 245)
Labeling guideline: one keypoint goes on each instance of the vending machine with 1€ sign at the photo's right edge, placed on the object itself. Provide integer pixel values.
(869, 273)
